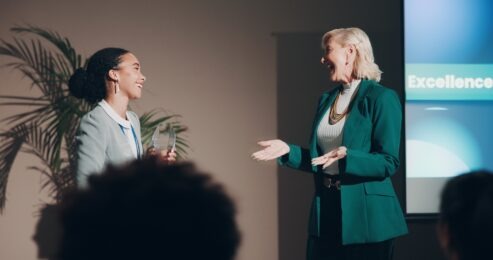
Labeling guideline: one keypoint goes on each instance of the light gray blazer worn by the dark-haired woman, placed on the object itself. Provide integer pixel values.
(100, 141)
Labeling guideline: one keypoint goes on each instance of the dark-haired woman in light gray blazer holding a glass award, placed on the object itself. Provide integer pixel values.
(109, 134)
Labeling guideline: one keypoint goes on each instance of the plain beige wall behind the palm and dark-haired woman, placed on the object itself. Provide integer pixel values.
(213, 62)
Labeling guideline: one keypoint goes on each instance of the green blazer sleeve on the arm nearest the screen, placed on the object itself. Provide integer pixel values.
(383, 159)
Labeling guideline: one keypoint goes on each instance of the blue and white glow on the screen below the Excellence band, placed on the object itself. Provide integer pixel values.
(442, 141)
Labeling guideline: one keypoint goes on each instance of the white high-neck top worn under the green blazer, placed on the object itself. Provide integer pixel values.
(329, 136)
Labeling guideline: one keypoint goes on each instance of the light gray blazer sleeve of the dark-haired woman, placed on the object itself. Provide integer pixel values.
(91, 151)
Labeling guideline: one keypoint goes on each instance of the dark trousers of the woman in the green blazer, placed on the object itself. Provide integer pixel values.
(329, 245)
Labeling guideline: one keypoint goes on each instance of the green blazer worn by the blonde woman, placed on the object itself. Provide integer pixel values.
(370, 209)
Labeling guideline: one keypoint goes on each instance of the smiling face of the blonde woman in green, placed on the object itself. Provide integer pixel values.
(339, 60)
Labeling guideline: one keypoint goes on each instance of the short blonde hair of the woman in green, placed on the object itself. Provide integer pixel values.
(364, 64)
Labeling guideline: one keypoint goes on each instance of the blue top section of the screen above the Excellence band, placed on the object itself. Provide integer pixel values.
(448, 31)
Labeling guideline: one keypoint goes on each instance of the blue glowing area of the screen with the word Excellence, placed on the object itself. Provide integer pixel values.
(448, 128)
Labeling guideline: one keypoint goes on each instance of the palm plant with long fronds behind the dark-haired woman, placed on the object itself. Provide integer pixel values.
(48, 128)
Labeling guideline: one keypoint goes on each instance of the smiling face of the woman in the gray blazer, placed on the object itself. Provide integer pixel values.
(129, 76)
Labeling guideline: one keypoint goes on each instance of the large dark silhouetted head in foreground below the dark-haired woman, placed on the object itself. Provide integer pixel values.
(149, 211)
